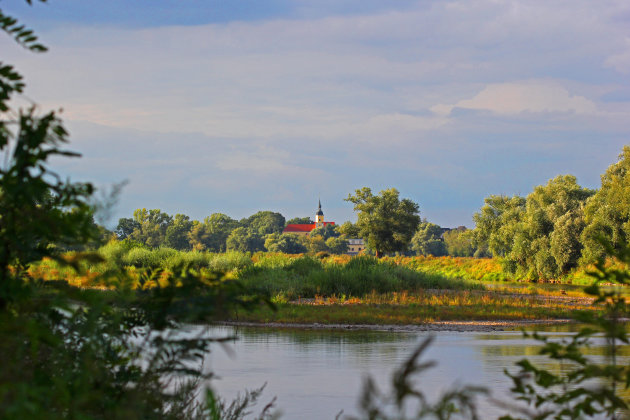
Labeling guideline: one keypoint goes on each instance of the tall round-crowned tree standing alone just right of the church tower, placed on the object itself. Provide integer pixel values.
(384, 221)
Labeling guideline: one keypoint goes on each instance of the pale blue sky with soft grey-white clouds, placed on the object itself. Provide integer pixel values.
(240, 106)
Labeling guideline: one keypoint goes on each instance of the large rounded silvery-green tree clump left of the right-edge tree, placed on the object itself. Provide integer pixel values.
(537, 237)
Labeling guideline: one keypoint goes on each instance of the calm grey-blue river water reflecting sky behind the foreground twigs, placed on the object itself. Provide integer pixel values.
(317, 373)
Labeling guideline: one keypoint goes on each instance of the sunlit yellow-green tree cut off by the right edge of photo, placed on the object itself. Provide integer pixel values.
(607, 213)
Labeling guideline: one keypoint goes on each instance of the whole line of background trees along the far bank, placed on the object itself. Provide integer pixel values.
(556, 228)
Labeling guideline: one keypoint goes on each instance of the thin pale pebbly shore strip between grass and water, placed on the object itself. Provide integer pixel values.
(460, 326)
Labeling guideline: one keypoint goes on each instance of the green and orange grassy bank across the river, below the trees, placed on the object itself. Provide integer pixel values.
(342, 290)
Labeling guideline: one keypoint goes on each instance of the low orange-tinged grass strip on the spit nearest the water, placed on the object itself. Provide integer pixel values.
(405, 308)
